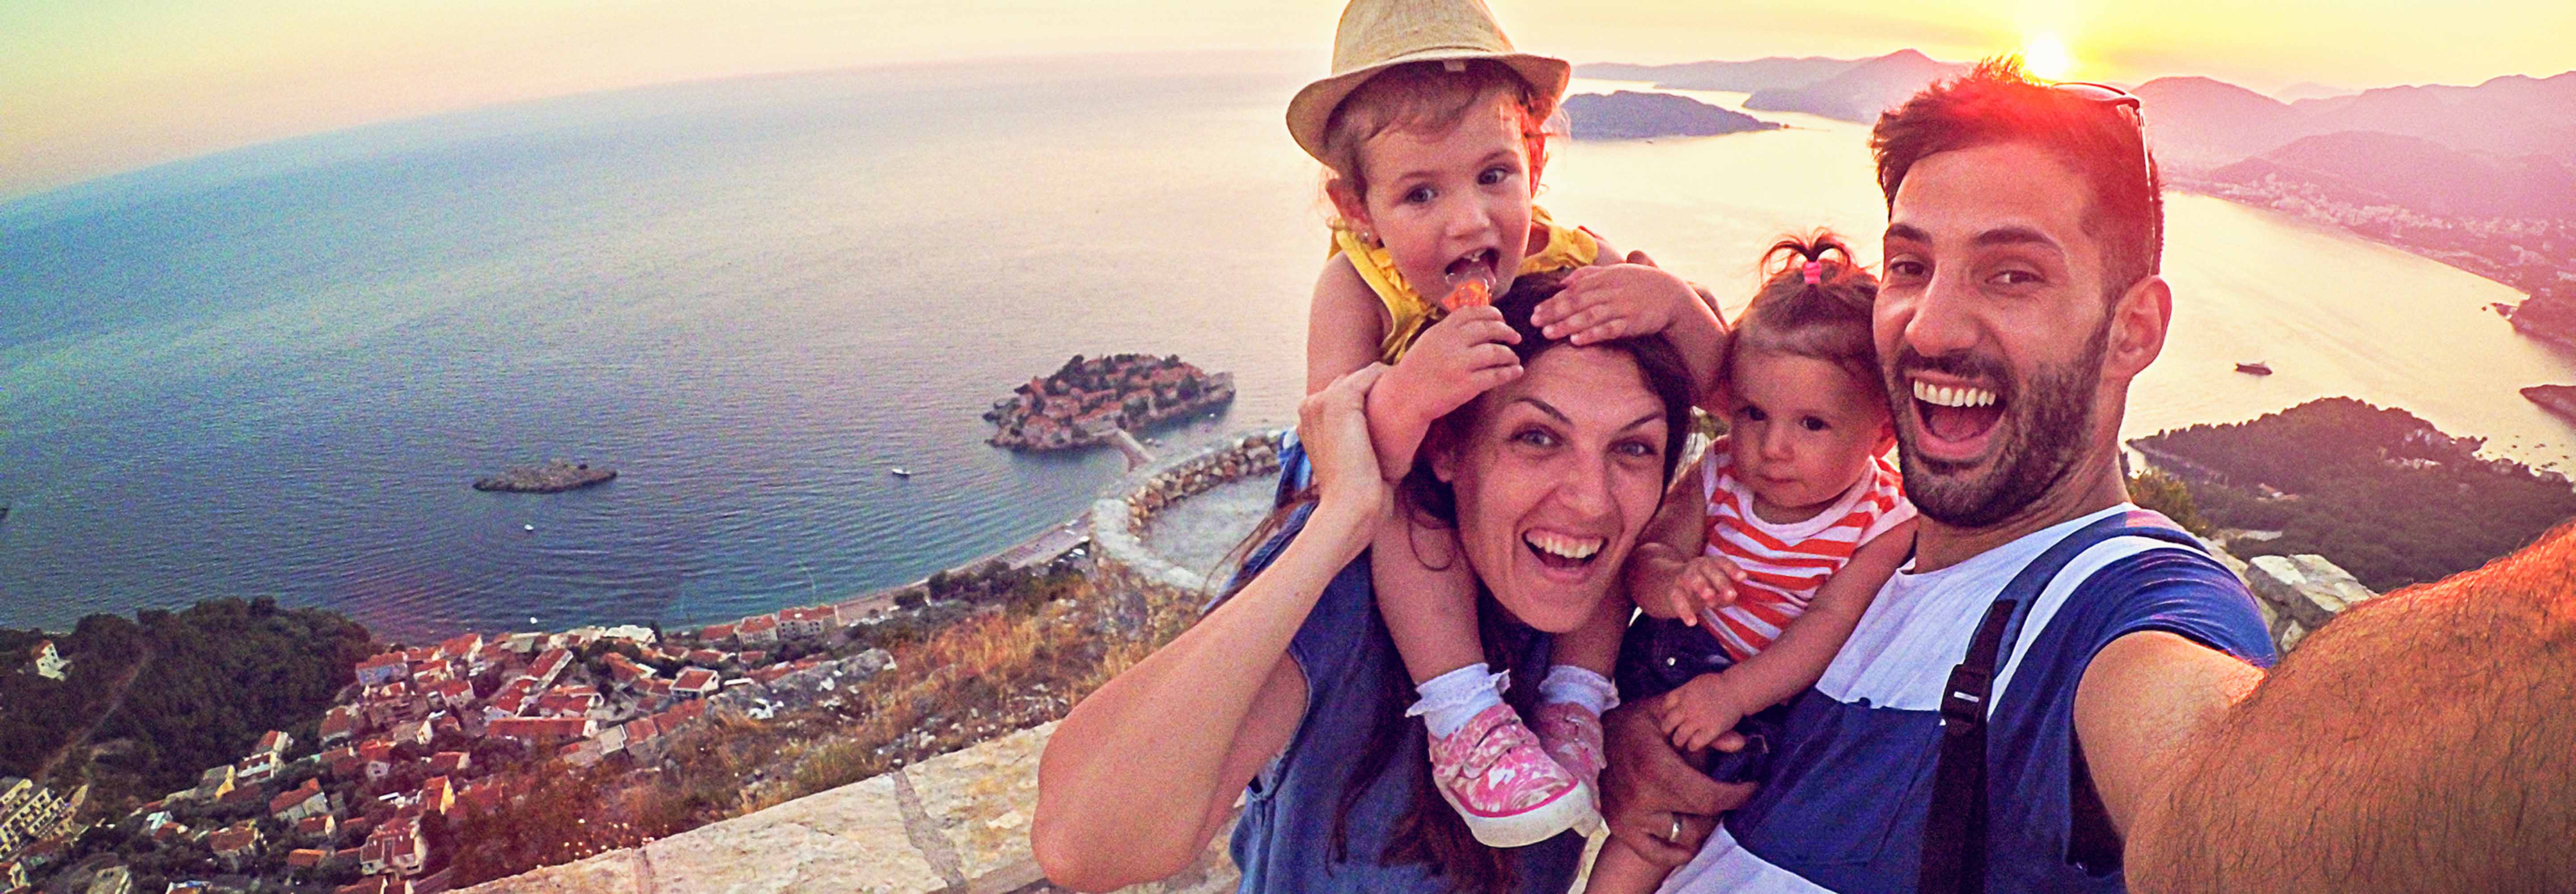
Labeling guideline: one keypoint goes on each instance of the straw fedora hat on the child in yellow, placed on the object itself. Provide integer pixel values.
(1377, 35)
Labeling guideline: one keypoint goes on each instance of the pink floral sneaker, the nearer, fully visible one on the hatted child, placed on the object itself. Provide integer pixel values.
(1506, 787)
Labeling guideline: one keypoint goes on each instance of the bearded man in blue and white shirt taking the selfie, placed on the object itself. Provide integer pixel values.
(2021, 300)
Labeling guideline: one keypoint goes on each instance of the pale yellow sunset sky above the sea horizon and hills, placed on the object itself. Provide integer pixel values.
(104, 86)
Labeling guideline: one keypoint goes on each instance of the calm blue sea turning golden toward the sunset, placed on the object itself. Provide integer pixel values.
(277, 370)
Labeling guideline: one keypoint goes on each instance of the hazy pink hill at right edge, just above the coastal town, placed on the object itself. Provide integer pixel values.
(2369, 169)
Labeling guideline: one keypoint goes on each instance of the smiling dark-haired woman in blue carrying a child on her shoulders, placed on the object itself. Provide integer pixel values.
(1294, 689)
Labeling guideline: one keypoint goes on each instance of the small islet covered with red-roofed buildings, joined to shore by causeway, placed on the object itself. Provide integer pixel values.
(1091, 401)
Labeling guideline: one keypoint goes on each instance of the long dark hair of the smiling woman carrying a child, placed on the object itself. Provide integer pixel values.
(1431, 831)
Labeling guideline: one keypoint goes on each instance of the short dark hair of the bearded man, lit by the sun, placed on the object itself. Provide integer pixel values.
(2098, 140)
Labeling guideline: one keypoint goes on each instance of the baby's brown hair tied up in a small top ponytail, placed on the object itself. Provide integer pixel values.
(1812, 305)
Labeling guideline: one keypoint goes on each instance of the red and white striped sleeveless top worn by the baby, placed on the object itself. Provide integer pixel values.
(1784, 566)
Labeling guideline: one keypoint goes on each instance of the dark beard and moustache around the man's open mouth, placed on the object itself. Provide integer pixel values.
(2049, 424)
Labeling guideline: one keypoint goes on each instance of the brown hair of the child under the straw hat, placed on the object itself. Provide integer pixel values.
(1428, 97)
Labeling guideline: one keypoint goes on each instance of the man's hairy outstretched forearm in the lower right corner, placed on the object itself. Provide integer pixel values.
(2420, 743)
